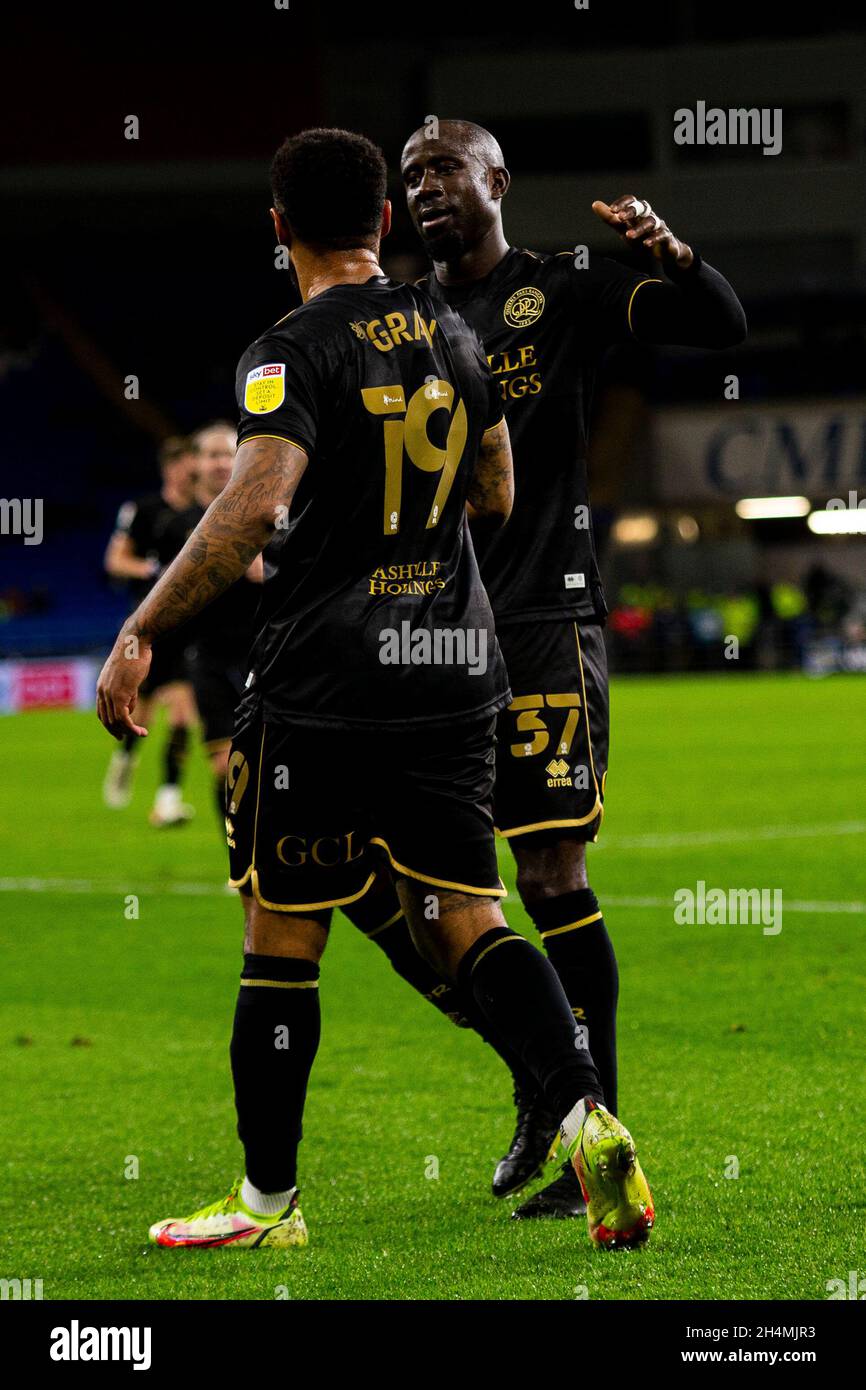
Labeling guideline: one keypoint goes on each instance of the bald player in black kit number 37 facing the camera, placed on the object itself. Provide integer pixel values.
(546, 323)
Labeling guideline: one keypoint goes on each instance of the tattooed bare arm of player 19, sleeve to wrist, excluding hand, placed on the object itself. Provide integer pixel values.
(229, 537)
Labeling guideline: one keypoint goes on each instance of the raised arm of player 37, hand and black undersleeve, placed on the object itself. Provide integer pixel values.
(696, 308)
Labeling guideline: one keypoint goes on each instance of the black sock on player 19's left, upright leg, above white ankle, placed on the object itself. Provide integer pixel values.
(275, 1042)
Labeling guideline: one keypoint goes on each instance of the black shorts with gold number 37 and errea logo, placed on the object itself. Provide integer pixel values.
(553, 740)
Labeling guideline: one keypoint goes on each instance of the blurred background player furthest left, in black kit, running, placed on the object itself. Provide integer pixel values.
(148, 536)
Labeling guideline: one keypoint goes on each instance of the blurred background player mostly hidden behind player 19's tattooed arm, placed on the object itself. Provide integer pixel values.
(223, 635)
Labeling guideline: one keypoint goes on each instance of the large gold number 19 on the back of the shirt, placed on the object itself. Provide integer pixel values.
(408, 433)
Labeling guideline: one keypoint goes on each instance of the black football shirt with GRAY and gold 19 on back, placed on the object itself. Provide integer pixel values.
(373, 614)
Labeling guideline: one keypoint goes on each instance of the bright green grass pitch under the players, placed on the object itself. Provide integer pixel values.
(736, 1047)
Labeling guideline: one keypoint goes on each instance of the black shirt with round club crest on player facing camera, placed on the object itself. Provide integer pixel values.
(544, 325)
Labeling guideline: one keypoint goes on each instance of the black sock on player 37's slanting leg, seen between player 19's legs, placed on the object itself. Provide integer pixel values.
(382, 919)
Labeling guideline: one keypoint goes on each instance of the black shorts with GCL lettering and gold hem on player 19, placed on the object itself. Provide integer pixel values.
(312, 812)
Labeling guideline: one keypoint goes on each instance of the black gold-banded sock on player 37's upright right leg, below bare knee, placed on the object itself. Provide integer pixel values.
(582, 953)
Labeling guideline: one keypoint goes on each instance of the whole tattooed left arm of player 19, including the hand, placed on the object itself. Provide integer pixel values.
(234, 530)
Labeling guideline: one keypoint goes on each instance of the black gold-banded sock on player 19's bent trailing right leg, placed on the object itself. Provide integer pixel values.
(519, 993)
